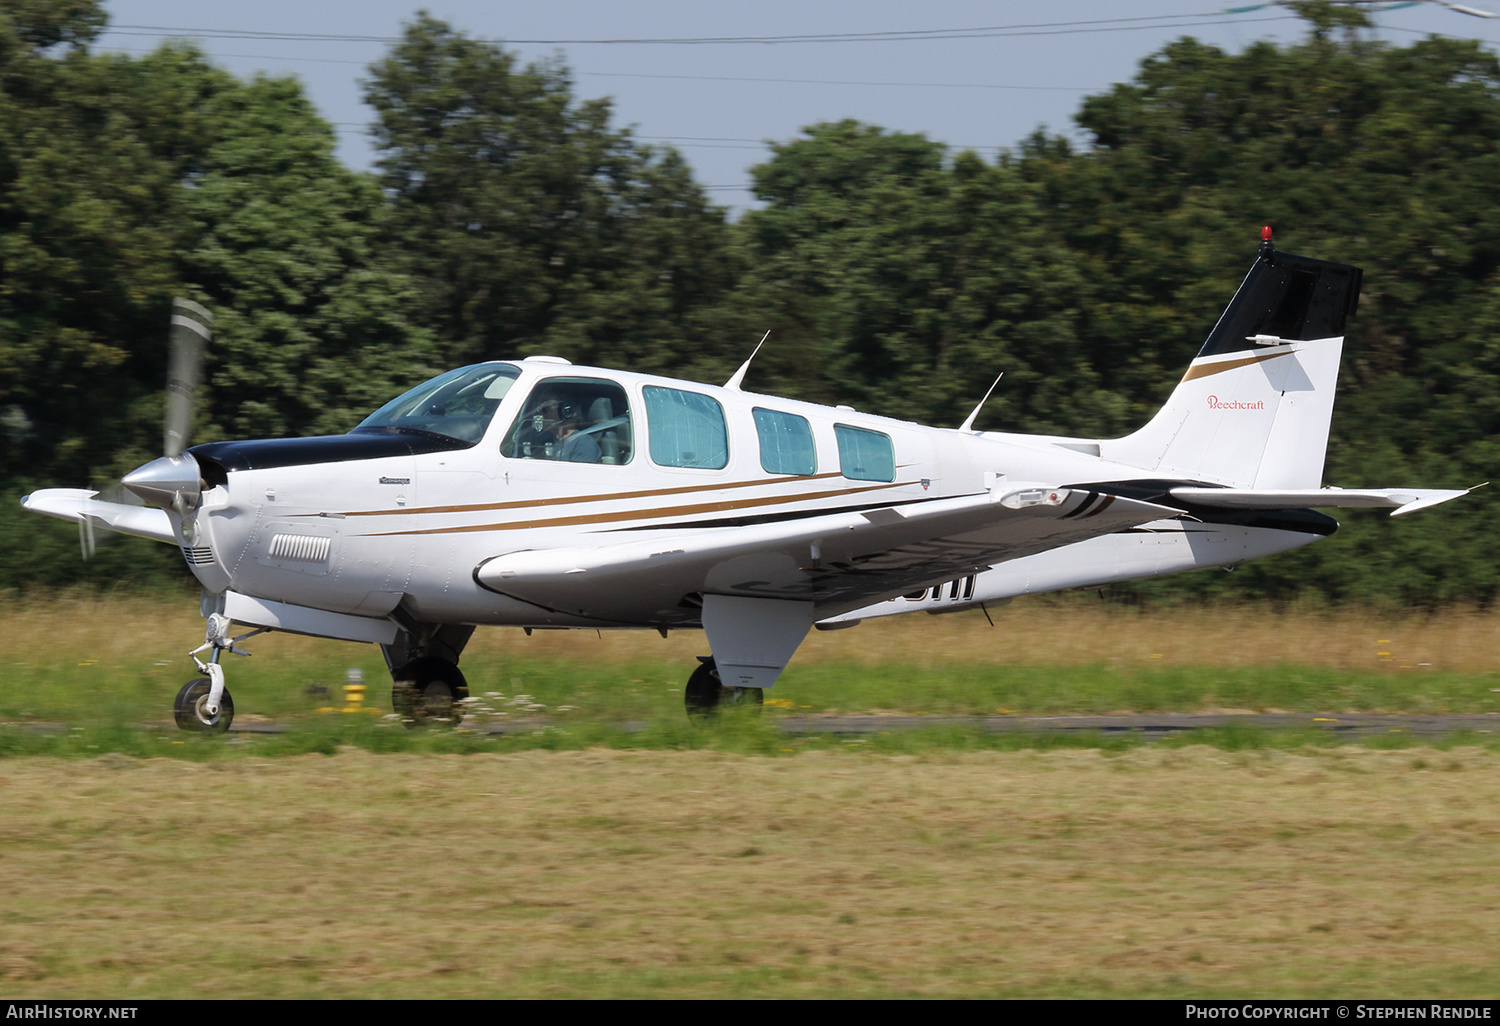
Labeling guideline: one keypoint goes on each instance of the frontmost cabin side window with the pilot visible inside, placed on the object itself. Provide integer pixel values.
(575, 421)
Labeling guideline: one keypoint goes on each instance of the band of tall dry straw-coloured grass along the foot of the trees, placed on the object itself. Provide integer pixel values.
(1049, 632)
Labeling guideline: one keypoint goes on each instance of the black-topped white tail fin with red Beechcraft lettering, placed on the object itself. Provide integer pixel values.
(1255, 407)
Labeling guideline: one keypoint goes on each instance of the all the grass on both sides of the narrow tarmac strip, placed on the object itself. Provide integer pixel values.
(736, 862)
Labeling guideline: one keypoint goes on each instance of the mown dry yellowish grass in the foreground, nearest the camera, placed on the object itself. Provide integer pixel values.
(1153, 874)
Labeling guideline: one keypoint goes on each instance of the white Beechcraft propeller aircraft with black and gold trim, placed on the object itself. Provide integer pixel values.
(541, 496)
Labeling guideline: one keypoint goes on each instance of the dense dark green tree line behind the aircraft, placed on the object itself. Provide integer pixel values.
(508, 217)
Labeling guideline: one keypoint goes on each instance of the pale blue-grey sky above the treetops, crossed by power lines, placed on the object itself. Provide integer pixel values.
(719, 103)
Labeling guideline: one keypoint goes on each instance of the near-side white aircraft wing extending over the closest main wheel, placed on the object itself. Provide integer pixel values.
(839, 562)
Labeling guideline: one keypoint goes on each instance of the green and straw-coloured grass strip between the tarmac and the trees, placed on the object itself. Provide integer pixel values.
(92, 662)
